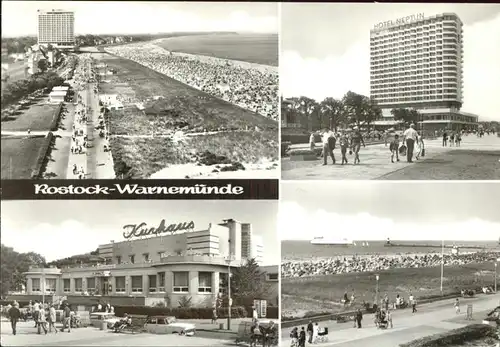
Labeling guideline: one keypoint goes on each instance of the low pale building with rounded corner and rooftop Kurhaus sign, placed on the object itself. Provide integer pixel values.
(155, 262)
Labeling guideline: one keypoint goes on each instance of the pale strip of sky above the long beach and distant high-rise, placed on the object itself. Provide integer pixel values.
(123, 17)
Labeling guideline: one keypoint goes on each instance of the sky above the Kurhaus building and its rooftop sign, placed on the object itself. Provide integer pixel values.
(60, 229)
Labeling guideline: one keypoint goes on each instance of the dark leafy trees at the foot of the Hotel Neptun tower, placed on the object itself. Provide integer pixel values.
(352, 109)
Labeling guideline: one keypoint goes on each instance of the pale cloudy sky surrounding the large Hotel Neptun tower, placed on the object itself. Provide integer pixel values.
(325, 49)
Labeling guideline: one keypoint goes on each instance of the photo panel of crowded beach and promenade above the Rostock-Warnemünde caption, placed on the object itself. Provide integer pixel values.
(138, 90)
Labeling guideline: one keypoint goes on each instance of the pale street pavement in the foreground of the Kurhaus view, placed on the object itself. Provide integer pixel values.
(26, 336)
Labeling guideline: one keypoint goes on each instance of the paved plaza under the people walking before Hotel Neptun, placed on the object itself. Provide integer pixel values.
(475, 154)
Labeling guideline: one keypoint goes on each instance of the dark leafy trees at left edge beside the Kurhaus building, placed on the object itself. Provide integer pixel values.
(13, 265)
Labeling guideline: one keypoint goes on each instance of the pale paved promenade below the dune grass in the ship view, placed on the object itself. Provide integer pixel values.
(431, 318)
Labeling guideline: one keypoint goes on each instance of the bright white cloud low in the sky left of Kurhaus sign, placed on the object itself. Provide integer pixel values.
(53, 241)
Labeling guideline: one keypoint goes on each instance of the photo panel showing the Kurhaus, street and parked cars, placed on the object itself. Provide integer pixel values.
(139, 273)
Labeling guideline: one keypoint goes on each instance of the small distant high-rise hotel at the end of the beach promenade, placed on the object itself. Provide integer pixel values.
(57, 28)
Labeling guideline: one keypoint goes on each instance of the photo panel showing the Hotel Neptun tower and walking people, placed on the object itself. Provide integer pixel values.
(390, 91)
